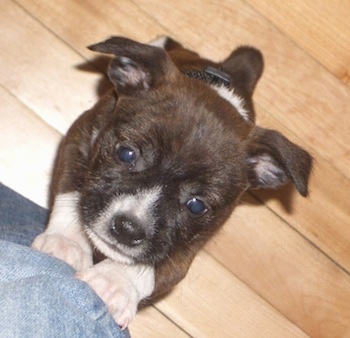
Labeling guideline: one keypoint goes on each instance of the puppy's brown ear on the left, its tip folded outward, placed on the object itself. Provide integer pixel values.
(137, 67)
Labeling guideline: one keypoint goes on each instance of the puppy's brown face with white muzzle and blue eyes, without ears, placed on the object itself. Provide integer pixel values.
(163, 173)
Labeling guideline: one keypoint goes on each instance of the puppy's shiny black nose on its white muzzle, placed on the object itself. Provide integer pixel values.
(127, 231)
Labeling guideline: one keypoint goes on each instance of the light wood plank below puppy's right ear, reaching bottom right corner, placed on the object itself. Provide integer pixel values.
(282, 267)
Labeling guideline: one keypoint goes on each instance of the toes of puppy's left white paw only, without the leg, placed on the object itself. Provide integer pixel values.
(64, 248)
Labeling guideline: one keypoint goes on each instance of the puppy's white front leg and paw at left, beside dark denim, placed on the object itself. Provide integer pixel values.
(64, 237)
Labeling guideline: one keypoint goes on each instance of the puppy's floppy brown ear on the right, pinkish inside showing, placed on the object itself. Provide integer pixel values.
(273, 160)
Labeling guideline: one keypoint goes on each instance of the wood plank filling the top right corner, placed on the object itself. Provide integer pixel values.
(322, 28)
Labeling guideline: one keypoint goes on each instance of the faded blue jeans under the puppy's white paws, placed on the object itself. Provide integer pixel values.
(39, 296)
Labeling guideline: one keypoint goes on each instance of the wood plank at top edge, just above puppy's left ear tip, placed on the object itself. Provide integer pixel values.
(80, 24)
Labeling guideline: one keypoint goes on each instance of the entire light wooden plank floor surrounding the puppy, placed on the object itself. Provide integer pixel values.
(280, 267)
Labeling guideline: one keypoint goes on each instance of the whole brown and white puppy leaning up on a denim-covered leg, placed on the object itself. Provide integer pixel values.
(154, 169)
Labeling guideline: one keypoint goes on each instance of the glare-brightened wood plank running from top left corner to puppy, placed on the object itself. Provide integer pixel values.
(46, 77)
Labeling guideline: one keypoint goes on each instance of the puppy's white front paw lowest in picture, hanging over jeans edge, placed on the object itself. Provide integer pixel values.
(120, 286)
